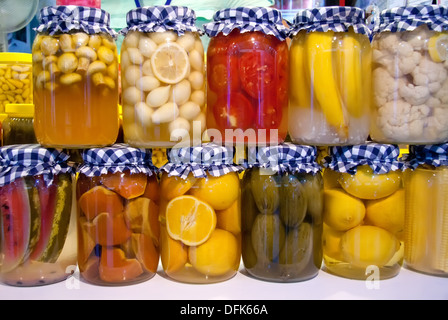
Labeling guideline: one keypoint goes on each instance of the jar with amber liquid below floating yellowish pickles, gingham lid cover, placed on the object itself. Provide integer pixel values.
(75, 72)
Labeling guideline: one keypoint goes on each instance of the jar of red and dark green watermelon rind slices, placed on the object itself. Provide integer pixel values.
(37, 223)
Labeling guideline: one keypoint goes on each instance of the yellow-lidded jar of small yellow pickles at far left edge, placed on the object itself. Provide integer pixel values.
(16, 84)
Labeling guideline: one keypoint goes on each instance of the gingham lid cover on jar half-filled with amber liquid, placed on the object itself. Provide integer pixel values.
(57, 19)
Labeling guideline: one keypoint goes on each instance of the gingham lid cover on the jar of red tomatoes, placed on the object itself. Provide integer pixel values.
(246, 19)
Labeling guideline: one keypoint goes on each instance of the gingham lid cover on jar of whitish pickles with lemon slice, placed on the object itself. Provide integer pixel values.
(161, 18)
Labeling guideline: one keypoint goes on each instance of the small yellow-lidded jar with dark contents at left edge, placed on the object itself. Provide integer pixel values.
(18, 125)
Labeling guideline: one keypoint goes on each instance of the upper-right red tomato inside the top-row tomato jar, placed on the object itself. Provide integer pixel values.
(257, 72)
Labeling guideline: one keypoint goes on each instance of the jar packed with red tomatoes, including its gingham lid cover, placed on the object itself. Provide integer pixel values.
(247, 76)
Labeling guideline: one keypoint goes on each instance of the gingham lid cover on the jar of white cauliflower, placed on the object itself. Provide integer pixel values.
(409, 18)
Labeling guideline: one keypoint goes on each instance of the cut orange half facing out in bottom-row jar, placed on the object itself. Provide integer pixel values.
(189, 220)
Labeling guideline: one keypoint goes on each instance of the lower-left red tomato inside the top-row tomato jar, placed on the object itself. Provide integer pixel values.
(234, 111)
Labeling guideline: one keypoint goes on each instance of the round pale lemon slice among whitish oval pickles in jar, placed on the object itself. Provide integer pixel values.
(170, 63)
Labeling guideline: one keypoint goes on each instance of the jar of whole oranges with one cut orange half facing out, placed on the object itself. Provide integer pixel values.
(200, 231)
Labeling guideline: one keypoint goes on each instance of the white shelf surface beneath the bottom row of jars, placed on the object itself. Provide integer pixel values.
(407, 285)
